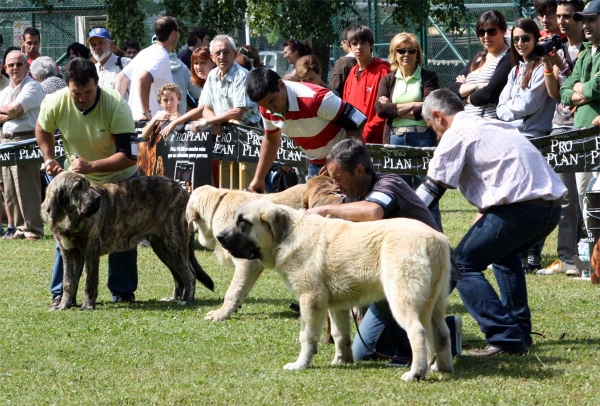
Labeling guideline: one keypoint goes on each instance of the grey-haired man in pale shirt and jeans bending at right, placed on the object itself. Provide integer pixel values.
(518, 197)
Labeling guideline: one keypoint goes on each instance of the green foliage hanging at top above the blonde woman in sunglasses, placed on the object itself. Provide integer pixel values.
(409, 12)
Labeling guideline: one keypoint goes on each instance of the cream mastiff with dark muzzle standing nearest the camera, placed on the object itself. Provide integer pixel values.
(333, 264)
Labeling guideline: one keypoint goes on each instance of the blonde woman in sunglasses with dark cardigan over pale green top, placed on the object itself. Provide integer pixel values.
(400, 98)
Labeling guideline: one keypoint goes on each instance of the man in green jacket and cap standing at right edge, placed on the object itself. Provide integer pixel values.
(581, 88)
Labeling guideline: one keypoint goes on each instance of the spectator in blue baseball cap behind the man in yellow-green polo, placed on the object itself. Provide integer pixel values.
(108, 64)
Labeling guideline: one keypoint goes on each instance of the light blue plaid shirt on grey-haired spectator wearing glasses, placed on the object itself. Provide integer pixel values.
(229, 93)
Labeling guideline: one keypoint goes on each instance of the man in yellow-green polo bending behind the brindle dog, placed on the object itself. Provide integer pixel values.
(99, 140)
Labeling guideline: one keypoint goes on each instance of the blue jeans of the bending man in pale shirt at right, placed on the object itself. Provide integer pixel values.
(497, 238)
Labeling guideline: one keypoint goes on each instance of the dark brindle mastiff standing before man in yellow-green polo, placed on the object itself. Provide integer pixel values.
(89, 220)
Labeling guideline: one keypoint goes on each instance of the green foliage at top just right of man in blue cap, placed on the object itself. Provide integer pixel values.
(125, 20)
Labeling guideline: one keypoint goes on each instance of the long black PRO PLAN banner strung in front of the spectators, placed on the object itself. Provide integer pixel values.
(572, 151)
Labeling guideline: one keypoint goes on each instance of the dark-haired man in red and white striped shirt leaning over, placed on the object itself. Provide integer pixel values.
(307, 113)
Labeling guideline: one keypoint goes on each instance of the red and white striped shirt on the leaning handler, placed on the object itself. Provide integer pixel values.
(309, 120)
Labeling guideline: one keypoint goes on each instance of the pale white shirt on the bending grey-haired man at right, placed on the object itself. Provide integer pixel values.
(492, 163)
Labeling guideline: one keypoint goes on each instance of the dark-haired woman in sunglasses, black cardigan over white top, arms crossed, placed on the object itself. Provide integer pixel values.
(480, 83)
